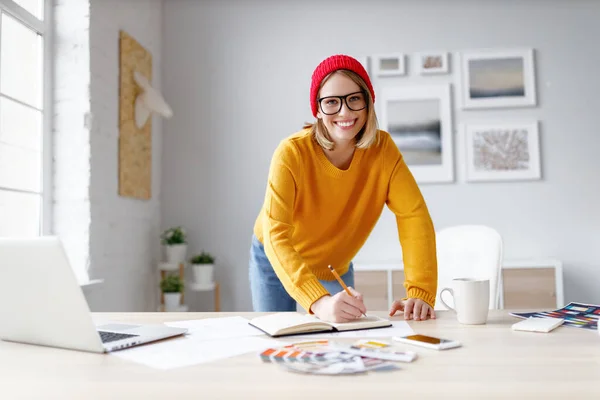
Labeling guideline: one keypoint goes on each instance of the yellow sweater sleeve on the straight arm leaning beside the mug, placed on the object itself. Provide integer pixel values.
(416, 233)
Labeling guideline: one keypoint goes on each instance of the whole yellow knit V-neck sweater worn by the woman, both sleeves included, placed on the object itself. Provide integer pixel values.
(315, 214)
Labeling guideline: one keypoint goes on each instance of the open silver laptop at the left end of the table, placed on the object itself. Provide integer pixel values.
(42, 303)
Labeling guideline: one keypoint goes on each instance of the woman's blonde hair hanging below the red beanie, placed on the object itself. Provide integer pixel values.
(367, 136)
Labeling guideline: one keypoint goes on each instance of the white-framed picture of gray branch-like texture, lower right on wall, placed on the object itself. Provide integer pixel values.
(502, 151)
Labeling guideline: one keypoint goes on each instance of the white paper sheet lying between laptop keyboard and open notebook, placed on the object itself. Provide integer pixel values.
(217, 328)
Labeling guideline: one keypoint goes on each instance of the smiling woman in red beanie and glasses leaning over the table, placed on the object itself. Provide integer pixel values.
(326, 189)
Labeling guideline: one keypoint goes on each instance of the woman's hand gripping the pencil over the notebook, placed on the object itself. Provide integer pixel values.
(340, 307)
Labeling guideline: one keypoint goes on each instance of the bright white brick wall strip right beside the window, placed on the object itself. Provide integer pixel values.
(72, 217)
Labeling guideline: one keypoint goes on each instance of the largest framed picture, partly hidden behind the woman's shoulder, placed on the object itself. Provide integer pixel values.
(419, 119)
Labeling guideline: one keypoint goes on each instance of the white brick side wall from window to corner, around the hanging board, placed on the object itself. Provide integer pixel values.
(116, 238)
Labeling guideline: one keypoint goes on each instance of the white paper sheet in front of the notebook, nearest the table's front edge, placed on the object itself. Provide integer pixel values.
(185, 351)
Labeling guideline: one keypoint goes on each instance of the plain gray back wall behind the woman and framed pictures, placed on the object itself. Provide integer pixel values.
(237, 74)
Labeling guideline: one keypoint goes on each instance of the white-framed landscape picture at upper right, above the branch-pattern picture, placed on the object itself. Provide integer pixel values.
(493, 79)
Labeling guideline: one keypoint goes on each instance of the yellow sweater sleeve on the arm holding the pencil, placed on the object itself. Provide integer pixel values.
(278, 228)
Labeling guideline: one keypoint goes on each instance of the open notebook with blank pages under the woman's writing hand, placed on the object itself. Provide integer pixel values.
(293, 323)
